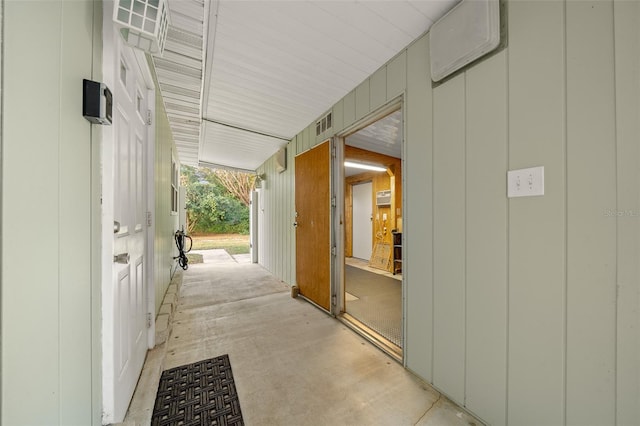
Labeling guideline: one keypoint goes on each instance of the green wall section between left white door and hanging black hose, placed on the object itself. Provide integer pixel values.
(166, 222)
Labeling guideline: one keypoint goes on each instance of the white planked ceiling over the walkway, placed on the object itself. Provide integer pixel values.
(273, 67)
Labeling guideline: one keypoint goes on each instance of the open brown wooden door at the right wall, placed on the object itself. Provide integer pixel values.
(313, 232)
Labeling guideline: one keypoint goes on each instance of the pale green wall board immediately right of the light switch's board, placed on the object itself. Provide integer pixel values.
(591, 238)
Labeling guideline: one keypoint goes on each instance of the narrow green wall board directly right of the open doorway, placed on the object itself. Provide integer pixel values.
(418, 213)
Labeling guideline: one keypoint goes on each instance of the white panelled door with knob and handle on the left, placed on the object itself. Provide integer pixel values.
(129, 201)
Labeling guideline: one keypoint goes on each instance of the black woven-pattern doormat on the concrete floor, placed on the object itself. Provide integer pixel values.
(202, 393)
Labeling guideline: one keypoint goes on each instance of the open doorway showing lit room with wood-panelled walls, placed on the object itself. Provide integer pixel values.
(372, 285)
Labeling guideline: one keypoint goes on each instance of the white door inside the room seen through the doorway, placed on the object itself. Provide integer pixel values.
(362, 220)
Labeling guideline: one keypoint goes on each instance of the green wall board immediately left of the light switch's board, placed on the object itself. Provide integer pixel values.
(486, 241)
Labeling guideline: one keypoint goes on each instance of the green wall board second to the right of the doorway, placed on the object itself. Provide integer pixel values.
(449, 203)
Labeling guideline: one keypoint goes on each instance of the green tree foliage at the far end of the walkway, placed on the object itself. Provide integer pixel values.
(211, 208)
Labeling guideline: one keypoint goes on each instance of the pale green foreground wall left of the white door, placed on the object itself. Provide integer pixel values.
(50, 209)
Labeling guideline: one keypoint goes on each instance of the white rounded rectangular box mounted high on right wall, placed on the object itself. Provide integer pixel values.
(467, 32)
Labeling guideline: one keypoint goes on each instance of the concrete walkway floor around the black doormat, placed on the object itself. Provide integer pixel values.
(292, 363)
